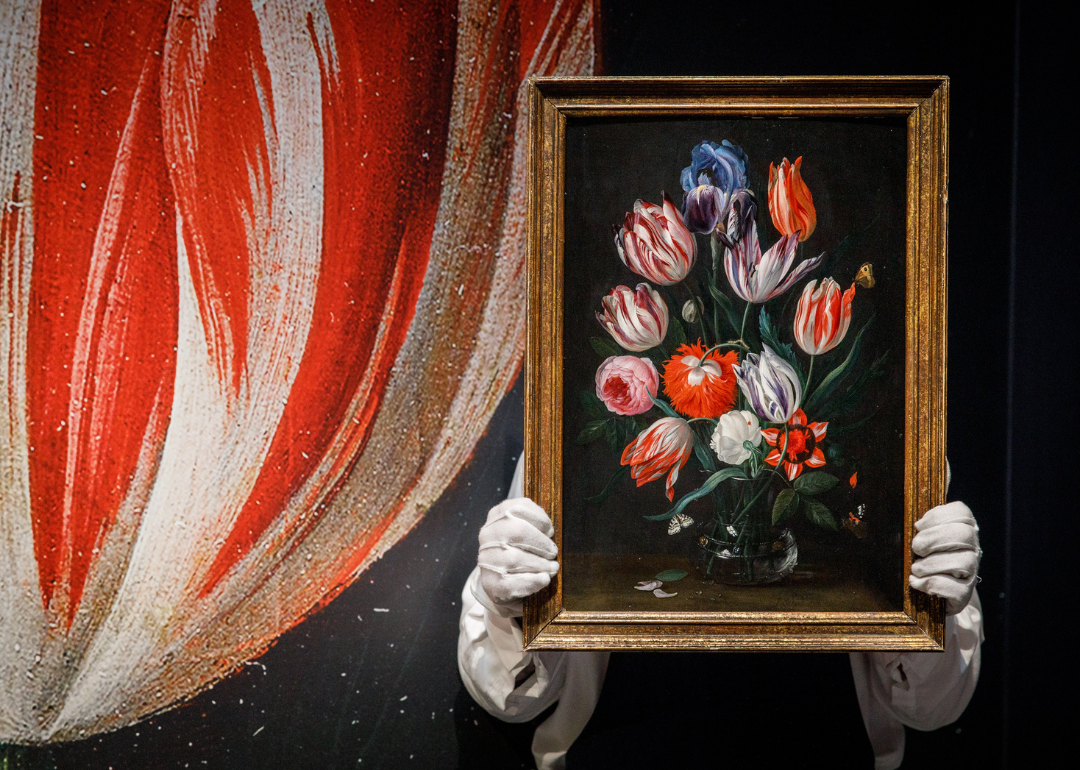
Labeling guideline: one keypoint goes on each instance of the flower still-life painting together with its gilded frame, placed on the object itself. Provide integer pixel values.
(736, 359)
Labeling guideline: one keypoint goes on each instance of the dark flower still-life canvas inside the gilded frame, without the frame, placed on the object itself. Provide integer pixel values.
(734, 383)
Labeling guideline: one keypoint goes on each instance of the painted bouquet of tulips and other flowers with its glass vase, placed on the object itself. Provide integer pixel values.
(720, 384)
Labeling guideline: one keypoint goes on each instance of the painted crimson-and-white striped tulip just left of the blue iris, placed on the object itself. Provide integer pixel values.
(655, 244)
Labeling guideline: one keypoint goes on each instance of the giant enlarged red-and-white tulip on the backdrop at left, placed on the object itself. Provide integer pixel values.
(231, 283)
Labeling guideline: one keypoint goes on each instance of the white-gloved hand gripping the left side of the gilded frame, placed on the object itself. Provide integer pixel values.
(517, 553)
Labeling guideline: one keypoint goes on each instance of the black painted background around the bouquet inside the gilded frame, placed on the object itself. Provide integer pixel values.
(857, 171)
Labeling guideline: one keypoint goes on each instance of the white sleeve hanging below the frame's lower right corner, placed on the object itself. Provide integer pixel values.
(924, 691)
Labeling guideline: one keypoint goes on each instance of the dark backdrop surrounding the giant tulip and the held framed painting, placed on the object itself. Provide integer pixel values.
(1014, 356)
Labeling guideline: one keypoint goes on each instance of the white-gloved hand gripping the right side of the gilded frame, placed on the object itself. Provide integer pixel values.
(948, 542)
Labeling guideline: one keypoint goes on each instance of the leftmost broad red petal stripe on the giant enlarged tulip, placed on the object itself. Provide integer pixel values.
(103, 306)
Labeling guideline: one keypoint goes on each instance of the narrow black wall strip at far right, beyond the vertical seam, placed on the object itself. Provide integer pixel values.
(1039, 679)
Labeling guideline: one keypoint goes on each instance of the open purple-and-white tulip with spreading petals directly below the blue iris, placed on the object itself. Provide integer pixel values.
(759, 278)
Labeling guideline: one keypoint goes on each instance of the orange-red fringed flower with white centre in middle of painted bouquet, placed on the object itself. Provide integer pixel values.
(701, 385)
